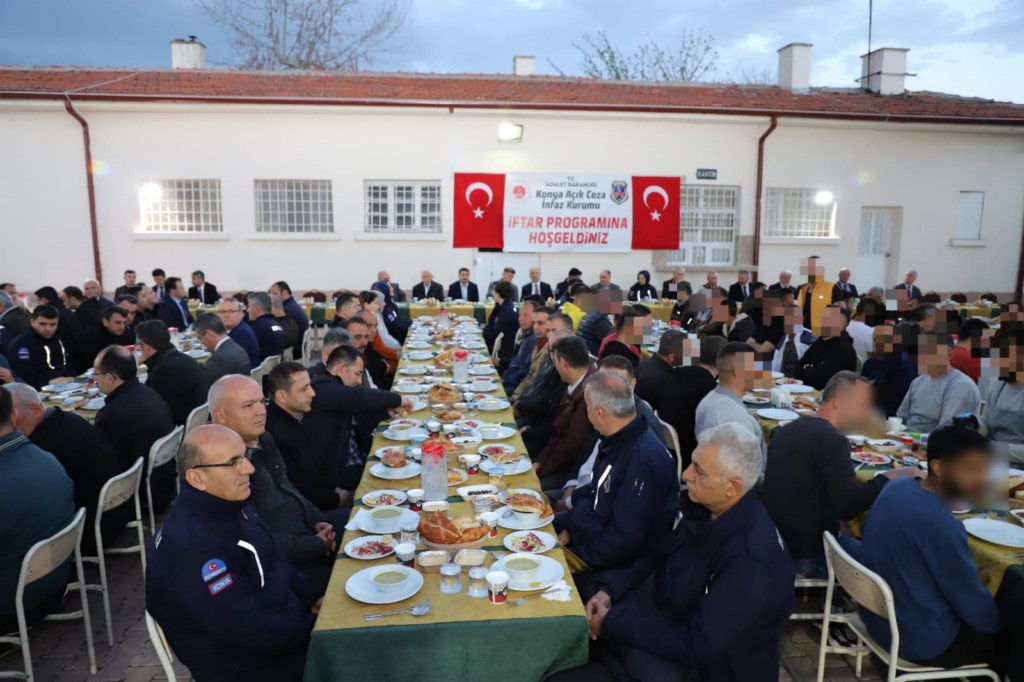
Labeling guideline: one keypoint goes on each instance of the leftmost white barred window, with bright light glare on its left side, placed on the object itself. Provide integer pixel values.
(182, 206)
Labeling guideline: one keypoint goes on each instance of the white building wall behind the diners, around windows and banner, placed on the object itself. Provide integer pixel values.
(45, 191)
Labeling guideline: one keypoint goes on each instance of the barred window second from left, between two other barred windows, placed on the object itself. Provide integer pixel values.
(294, 206)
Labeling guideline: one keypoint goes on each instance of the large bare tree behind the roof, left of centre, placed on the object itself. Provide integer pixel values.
(309, 34)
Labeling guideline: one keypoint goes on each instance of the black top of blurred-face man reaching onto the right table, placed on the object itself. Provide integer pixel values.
(810, 485)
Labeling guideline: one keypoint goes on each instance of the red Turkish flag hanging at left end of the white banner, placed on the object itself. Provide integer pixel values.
(480, 210)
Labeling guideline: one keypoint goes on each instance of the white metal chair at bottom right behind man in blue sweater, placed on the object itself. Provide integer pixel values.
(871, 592)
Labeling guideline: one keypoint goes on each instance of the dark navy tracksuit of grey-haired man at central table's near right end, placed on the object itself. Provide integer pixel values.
(722, 594)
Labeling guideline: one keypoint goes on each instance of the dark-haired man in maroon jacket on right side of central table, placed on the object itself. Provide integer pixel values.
(570, 424)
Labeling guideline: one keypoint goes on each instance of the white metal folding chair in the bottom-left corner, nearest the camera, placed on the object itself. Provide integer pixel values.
(42, 560)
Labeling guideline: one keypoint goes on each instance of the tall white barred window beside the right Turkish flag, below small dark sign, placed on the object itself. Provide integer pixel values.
(707, 226)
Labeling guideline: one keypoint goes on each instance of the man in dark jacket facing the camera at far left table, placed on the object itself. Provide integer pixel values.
(37, 355)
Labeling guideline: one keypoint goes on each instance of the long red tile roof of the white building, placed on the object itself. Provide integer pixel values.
(541, 93)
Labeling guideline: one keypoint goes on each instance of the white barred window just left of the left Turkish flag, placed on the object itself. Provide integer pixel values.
(403, 207)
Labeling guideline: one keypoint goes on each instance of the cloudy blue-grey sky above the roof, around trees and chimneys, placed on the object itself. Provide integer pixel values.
(968, 48)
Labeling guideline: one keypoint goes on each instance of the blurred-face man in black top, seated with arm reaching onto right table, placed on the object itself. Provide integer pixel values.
(810, 485)
